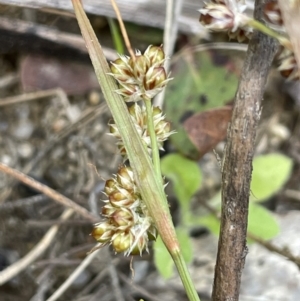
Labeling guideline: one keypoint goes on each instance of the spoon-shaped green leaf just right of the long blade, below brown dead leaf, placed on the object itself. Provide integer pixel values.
(185, 175)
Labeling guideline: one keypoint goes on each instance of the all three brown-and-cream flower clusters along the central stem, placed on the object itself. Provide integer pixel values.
(128, 227)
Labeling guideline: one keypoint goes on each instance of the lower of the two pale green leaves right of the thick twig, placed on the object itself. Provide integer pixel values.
(261, 222)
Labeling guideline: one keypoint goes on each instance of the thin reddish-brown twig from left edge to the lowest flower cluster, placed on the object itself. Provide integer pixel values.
(47, 191)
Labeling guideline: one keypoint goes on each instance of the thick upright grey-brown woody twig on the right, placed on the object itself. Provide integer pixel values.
(237, 168)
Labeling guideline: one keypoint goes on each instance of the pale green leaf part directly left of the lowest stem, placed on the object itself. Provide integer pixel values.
(162, 259)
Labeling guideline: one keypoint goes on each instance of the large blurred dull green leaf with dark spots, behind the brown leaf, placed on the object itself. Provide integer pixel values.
(197, 86)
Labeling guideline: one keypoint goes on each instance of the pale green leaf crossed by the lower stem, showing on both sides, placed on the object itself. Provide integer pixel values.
(162, 259)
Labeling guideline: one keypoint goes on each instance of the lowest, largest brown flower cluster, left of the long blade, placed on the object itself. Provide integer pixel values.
(127, 226)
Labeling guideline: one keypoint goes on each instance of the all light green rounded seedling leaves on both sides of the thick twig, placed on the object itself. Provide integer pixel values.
(270, 172)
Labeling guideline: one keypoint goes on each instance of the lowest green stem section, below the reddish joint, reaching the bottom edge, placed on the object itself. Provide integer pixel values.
(185, 277)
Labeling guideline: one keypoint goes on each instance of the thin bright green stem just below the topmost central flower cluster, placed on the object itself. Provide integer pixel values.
(153, 138)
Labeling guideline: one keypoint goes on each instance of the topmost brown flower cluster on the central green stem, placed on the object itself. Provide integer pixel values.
(141, 76)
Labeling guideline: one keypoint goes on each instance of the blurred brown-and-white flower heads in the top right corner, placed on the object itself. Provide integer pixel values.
(218, 16)
